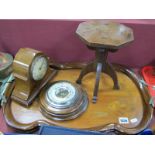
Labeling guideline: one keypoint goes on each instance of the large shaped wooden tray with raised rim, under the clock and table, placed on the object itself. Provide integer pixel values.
(130, 102)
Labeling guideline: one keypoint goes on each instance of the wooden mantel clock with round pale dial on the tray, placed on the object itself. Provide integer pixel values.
(31, 72)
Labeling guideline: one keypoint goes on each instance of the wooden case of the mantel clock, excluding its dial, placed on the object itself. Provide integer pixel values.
(26, 89)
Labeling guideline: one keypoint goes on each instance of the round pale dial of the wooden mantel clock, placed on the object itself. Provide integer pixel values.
(39, 68)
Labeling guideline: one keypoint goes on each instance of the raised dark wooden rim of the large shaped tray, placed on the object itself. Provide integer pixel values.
(11, 121)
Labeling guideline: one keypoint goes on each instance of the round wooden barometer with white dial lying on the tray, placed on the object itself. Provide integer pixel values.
(63, 100)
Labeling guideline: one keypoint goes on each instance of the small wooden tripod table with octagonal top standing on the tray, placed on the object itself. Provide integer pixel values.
(103, 37)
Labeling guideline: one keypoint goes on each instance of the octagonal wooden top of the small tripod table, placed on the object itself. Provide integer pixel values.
(104, 34)
